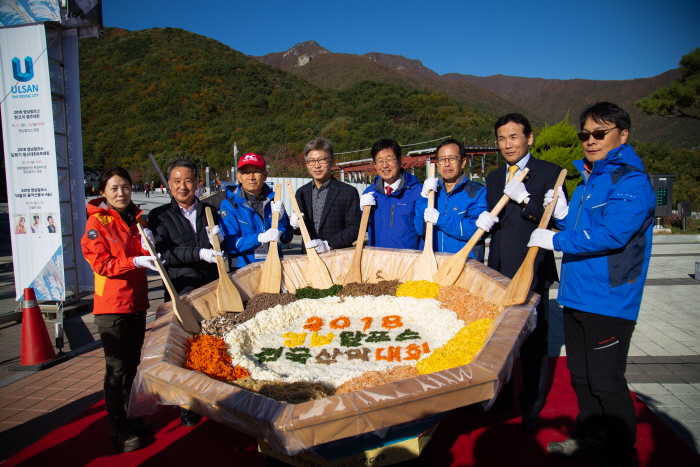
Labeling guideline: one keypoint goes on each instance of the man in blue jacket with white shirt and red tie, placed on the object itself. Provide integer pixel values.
(393, 195)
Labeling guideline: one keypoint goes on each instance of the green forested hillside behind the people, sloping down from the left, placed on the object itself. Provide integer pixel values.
(170, 91)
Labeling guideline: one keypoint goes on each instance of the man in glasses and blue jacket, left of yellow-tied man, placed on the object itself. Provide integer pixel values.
(458, 202)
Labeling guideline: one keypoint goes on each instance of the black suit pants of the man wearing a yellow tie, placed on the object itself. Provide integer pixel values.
(534, 362)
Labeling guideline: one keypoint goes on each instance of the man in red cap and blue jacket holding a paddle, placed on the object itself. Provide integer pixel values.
(246, 214)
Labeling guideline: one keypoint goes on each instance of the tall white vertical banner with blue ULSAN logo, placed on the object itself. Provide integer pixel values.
(30, 162)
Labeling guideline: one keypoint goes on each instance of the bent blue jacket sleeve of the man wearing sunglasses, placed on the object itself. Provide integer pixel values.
(623, 215)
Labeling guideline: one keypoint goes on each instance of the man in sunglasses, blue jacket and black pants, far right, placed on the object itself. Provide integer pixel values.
(606, 239)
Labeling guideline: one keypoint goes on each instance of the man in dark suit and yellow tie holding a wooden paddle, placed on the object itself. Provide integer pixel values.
(509, 237)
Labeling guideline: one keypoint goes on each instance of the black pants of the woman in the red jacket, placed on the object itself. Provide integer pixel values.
(122, 338)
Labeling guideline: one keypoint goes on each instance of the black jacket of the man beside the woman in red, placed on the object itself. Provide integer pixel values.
(179, 245)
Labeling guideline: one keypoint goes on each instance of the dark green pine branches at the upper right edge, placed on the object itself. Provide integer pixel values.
(682, 98)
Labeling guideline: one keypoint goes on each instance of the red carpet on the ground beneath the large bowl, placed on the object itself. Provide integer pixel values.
(462, 439)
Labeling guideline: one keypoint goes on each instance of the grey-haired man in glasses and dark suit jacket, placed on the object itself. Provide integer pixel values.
(330, 208)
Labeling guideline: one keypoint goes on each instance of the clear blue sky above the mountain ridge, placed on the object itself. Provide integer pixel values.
(562, 39)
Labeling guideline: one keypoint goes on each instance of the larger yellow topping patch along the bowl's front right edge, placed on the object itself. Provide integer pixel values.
(460, 350)
